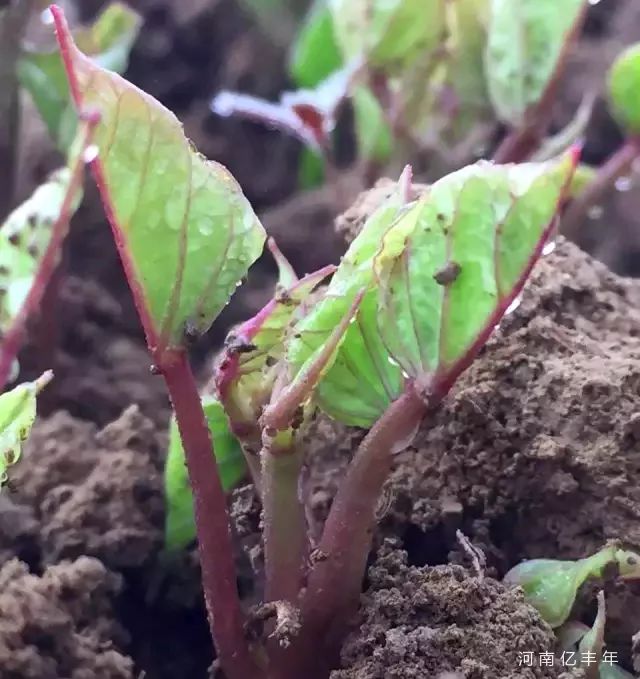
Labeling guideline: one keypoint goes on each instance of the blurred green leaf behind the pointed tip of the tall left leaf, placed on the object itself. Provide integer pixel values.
(108, 41)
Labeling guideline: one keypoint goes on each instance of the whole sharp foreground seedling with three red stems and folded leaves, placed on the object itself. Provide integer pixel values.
(414, 299)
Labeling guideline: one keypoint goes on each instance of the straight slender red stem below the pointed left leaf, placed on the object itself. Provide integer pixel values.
(226, 619)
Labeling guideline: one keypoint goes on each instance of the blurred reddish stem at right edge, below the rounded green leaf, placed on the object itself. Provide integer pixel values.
(616, 166)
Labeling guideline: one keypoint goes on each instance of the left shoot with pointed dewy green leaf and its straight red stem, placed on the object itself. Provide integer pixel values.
(186, 236)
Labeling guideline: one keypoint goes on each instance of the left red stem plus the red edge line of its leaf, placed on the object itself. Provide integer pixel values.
(211, 517)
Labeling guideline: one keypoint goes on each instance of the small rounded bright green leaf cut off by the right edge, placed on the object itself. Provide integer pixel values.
(624, 89)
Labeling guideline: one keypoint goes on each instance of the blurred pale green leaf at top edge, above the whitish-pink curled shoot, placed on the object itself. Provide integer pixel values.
(388, 33)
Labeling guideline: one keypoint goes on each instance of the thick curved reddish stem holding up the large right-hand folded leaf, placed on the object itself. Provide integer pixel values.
(334, 584)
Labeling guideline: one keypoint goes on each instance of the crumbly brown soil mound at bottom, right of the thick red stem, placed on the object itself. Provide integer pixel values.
(424, 621)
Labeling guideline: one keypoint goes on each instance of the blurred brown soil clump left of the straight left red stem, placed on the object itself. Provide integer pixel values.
(97, 493)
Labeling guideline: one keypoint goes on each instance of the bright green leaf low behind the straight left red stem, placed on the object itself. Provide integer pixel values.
(180, 528)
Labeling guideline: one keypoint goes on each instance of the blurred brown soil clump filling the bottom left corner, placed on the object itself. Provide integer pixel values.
(60, 625)
